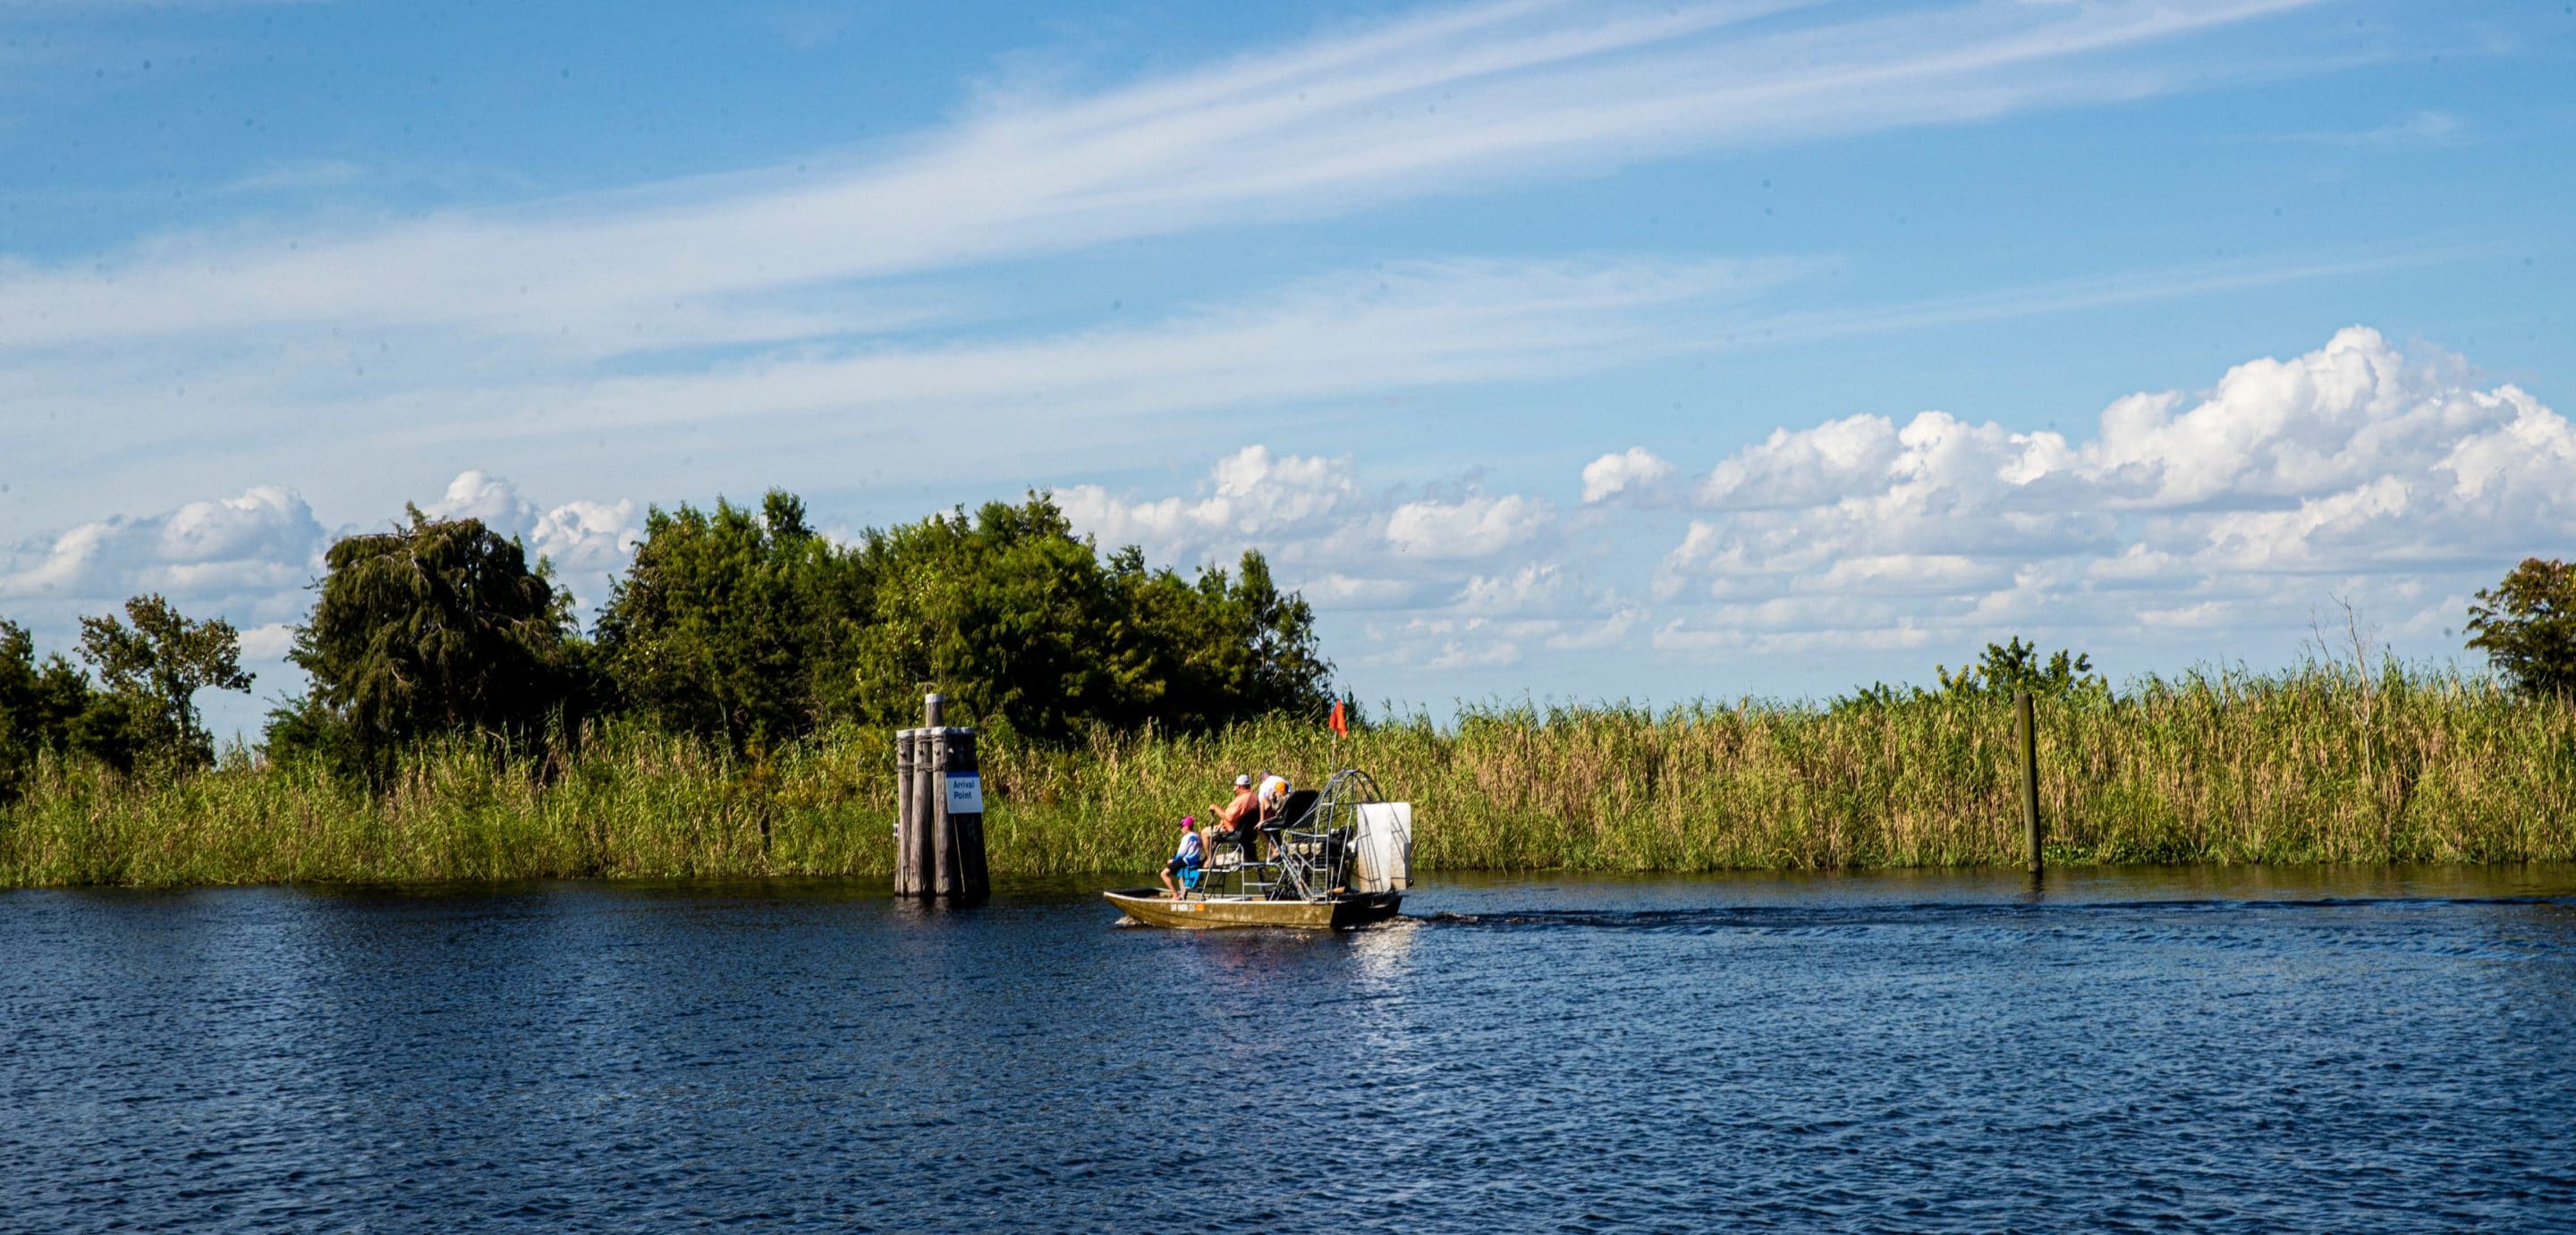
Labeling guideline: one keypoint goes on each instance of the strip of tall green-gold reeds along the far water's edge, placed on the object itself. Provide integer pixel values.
(2302, 768)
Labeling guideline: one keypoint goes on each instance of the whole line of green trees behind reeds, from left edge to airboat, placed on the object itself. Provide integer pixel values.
(743, 627)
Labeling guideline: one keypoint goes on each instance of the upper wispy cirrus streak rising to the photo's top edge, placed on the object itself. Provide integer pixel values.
(1423, 107)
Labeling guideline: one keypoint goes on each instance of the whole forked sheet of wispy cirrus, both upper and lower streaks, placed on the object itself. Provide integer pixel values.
(808, 302)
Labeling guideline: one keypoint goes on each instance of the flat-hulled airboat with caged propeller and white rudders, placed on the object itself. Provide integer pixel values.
(1333, 861)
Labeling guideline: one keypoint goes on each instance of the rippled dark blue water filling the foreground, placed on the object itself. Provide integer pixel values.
(1892, 1051)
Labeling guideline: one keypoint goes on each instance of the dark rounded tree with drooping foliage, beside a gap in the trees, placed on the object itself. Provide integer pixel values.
(434, 627)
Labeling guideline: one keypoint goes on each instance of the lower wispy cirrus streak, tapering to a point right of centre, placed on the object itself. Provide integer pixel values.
(1408, 325)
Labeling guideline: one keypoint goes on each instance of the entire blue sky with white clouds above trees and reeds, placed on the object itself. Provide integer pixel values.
(1565, 351)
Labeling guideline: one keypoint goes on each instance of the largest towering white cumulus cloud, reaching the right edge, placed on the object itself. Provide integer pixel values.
(2345, 470)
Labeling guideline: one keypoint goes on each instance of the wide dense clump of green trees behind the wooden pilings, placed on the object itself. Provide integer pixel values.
(759, 632)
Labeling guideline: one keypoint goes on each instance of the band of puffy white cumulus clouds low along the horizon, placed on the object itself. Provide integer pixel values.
(2183, 521)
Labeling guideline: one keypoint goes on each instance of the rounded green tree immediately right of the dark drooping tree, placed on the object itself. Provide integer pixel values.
(735, 624)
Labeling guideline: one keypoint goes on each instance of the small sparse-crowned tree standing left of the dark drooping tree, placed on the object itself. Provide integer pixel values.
(156, 668)
